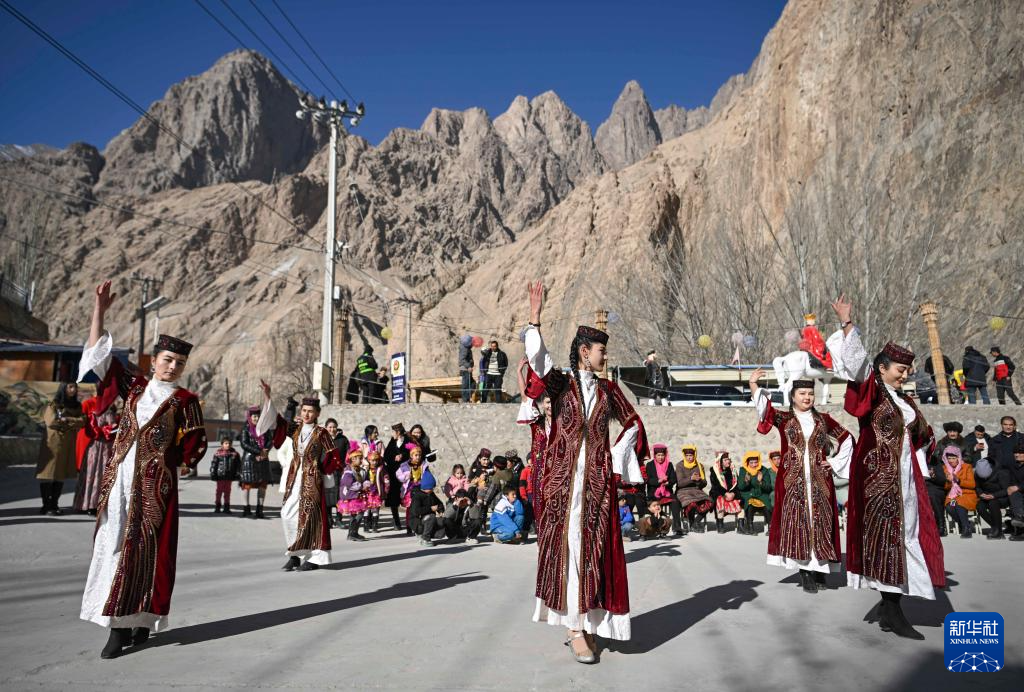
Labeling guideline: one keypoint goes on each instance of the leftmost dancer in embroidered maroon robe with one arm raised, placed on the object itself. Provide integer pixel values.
(132, 575)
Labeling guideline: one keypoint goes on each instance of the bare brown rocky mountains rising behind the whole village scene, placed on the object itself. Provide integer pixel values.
(868, 145)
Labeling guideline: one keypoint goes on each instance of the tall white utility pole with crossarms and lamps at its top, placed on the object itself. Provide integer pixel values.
(333, 115)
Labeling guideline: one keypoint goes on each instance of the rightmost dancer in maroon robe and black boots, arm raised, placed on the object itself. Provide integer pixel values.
(893, 543)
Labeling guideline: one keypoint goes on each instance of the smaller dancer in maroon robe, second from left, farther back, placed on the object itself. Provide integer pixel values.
(305, 511)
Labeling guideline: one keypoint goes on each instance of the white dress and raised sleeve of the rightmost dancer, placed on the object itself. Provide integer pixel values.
(855, 365)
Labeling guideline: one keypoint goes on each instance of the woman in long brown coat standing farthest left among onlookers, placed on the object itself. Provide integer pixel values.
(64, 418)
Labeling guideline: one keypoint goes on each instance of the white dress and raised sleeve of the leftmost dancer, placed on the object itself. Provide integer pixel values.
(110, 536)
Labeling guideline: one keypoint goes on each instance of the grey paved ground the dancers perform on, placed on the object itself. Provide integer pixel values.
(708, 616)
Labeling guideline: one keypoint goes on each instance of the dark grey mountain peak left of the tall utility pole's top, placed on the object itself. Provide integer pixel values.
(238, 120)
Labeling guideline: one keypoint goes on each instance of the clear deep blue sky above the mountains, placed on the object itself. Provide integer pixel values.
(402, 59)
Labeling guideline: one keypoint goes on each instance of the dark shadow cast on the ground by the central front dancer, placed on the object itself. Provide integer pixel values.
(659, 627)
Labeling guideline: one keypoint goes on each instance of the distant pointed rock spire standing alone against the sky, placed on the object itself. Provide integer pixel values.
(631, 132)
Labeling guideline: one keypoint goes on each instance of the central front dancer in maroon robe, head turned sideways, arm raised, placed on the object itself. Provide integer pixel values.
(581, 573)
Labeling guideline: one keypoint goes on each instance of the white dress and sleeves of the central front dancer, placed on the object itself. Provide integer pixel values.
(598, 622)
